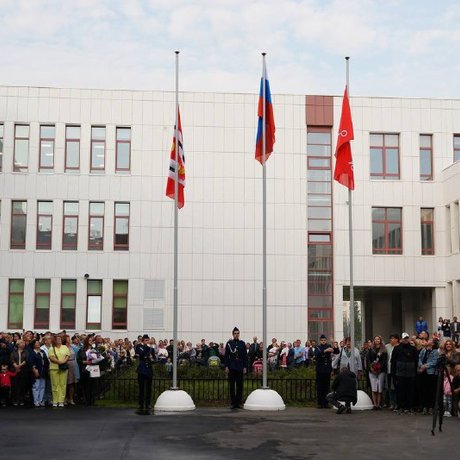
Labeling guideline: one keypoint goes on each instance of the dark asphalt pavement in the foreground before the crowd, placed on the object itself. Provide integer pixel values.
(296, 433)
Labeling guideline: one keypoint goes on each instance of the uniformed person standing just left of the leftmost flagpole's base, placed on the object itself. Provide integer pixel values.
(145, 356)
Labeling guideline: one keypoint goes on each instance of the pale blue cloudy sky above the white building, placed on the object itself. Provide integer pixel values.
(407, 48)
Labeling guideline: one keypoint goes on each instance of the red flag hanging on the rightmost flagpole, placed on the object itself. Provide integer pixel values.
(343, 172)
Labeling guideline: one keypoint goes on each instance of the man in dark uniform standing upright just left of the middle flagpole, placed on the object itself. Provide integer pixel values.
(236, 365)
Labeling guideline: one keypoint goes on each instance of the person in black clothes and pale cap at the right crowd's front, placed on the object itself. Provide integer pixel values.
(404, 360)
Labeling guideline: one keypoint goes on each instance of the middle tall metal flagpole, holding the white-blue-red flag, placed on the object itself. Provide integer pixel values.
(264, 226)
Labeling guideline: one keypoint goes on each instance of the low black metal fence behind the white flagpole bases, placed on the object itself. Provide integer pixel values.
(210, 390)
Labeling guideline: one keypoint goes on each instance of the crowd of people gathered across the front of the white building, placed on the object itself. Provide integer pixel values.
(58, 369)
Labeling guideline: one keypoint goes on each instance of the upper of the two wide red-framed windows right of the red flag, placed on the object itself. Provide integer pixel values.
(384, 152)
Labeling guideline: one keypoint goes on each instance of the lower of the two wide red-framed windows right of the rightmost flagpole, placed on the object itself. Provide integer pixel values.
(387, 230)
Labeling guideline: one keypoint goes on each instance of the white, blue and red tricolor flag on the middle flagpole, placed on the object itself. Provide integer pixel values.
(269, 120)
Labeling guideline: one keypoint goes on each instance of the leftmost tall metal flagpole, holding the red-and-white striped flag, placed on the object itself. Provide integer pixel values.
(176, 226)
